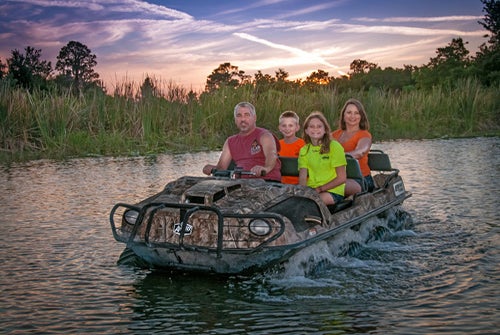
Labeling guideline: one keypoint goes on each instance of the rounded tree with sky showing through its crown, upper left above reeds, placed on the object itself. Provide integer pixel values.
(76, 63)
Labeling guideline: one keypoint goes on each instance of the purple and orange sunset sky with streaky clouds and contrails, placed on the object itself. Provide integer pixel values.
(181, 42)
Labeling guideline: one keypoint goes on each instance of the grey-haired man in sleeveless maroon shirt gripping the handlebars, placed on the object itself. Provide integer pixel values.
(253, 149)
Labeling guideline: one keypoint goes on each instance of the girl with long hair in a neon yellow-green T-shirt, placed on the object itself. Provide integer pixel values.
(322, 163)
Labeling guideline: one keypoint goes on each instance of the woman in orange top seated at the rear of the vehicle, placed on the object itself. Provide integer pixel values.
(356, 140)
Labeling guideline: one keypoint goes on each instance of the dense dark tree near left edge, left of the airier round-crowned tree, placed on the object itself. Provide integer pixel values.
(27, 69)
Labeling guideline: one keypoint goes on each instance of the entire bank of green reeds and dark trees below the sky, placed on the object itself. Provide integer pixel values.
(71, 114)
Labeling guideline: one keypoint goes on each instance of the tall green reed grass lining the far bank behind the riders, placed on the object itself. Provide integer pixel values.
(55, 124)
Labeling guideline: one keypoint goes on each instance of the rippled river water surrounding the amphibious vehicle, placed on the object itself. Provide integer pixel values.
(59, 271)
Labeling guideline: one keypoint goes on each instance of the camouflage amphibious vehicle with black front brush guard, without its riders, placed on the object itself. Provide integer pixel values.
(227, 224)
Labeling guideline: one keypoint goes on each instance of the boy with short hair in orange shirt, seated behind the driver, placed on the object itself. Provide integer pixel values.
(289, 125)
